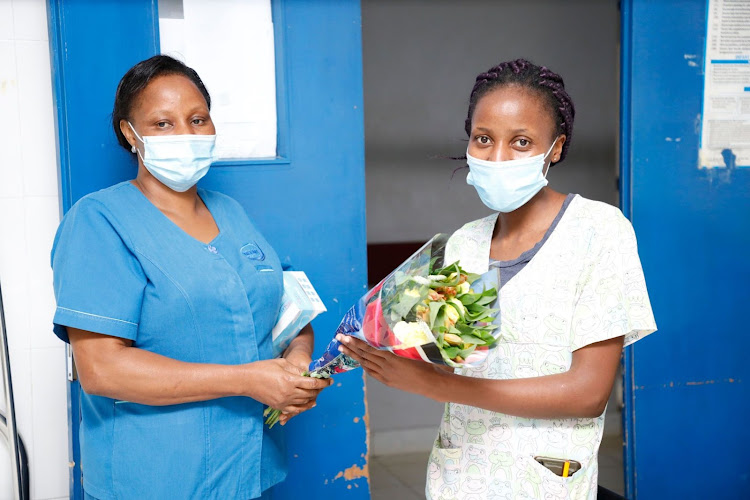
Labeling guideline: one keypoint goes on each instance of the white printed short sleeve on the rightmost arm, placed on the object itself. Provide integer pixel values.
(613, 300)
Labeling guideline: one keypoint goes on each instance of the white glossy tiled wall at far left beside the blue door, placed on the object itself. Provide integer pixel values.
(29, 214)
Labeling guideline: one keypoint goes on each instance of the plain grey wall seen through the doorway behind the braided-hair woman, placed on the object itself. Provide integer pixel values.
(420, 59)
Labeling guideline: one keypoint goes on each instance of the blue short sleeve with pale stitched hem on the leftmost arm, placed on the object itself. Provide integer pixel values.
(98, 281)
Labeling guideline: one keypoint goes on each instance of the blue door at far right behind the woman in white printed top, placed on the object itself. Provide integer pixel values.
(687, 398)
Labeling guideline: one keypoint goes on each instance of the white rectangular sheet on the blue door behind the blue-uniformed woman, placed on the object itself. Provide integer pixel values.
(230, 43)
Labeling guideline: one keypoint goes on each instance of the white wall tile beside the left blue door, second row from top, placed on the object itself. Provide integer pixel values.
(38, 149)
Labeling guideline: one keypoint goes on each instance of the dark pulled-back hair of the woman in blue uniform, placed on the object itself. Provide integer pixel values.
(138, 77)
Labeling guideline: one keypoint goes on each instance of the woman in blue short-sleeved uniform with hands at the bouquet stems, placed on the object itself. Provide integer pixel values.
(168, 294)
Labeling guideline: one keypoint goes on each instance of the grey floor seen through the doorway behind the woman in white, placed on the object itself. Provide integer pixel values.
(402, 477)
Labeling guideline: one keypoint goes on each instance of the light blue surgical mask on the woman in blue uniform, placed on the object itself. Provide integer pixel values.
(177, 161)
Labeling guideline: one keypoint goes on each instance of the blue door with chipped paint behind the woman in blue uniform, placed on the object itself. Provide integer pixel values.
(309, 201)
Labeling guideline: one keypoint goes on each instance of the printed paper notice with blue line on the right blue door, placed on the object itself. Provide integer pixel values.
(725, 133)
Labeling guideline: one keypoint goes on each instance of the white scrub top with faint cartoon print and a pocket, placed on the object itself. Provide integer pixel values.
(584, 285)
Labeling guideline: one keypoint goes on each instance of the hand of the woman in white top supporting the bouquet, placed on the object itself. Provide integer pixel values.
(394, 371)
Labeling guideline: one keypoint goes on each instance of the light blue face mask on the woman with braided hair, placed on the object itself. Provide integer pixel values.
(507, 185)
